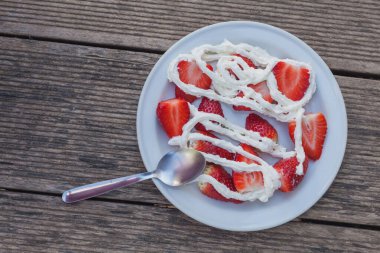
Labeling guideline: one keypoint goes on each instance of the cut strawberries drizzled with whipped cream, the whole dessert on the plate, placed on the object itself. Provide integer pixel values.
(248, 79)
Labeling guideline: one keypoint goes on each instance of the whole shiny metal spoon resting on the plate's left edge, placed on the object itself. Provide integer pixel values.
(174, 169)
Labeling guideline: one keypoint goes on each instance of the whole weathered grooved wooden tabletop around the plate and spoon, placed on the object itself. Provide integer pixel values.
(71, 73)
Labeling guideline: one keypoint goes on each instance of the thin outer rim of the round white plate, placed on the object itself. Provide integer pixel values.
(335, 87)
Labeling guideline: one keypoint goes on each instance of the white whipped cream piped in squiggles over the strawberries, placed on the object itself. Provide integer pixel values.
(225, 89)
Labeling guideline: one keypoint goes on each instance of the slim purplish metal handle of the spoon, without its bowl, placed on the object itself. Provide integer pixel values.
(99, 188)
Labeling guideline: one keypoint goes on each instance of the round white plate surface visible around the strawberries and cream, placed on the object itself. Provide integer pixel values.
(282, 207)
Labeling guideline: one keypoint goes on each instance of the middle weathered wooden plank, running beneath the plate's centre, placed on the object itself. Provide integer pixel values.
(67, 117)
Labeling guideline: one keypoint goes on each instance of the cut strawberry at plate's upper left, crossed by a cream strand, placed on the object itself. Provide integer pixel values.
(190, 73)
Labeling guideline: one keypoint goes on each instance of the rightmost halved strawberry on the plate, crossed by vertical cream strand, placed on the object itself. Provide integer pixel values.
(314, 128)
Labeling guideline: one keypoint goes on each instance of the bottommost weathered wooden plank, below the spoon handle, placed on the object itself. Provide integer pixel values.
(38, 223)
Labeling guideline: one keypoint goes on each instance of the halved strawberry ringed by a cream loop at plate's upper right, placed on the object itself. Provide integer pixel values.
(292, 80)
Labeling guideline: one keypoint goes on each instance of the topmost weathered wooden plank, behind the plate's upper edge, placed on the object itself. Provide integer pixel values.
(345, 33)
